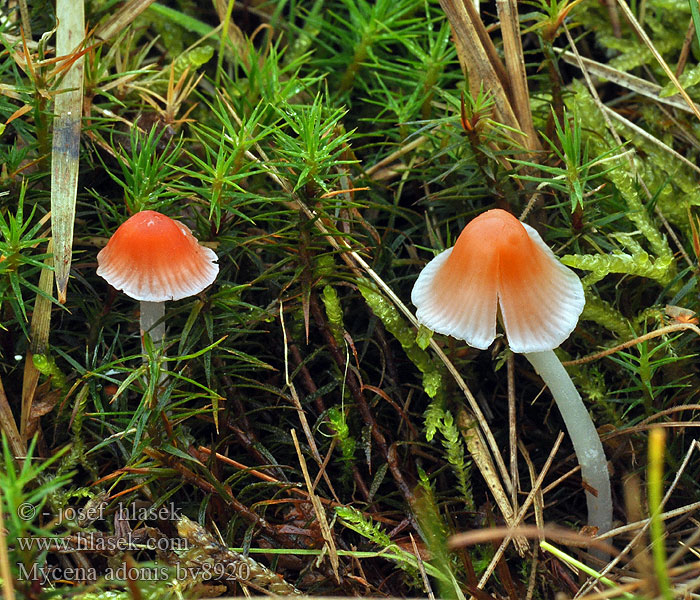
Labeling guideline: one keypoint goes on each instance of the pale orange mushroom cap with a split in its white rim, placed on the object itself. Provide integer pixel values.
(499, 262)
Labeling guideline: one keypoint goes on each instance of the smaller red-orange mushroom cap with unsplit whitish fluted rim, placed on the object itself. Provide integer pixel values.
(153, 258)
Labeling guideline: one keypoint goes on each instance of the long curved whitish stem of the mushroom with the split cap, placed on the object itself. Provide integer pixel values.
(587, 445)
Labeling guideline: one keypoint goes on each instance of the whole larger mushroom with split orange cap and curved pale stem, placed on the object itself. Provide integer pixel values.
(500, 263)
